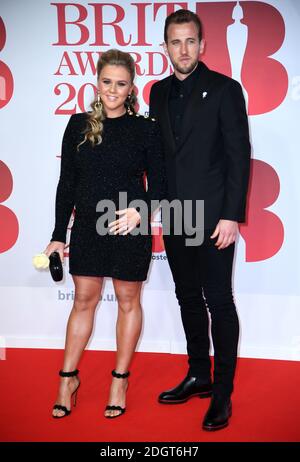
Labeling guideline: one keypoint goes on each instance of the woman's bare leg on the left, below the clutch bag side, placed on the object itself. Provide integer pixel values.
(79, 329)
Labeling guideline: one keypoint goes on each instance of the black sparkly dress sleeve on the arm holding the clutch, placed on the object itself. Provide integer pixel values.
(65, 193)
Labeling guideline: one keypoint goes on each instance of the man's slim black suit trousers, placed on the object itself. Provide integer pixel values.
(202, 277)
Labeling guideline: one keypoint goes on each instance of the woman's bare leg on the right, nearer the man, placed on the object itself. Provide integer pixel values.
(128, 331)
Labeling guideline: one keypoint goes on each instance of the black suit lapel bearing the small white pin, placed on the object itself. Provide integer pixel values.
(195, 101)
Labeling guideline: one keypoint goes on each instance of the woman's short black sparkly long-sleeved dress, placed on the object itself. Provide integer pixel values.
(131, 145)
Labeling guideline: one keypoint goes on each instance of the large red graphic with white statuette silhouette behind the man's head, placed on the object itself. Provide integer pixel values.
(264, 78)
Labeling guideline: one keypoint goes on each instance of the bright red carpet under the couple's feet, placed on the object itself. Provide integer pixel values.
(266, 401)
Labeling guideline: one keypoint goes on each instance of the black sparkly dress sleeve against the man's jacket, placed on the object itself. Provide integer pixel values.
(155, 169)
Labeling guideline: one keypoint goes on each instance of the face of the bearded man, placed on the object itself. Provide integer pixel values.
(183, 47)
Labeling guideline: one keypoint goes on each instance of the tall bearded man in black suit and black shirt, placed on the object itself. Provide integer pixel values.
(204, 127)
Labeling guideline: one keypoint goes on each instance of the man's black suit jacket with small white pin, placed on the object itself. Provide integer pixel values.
(212, 161)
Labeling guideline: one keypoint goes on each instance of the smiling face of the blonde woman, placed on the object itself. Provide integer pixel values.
(114, 85)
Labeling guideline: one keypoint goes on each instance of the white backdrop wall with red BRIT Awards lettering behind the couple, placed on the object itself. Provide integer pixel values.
(44, 66)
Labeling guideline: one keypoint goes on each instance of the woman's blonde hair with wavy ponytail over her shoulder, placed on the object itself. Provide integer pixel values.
(94, 129)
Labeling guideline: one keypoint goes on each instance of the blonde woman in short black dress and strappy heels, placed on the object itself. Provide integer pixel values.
(105, 152)
